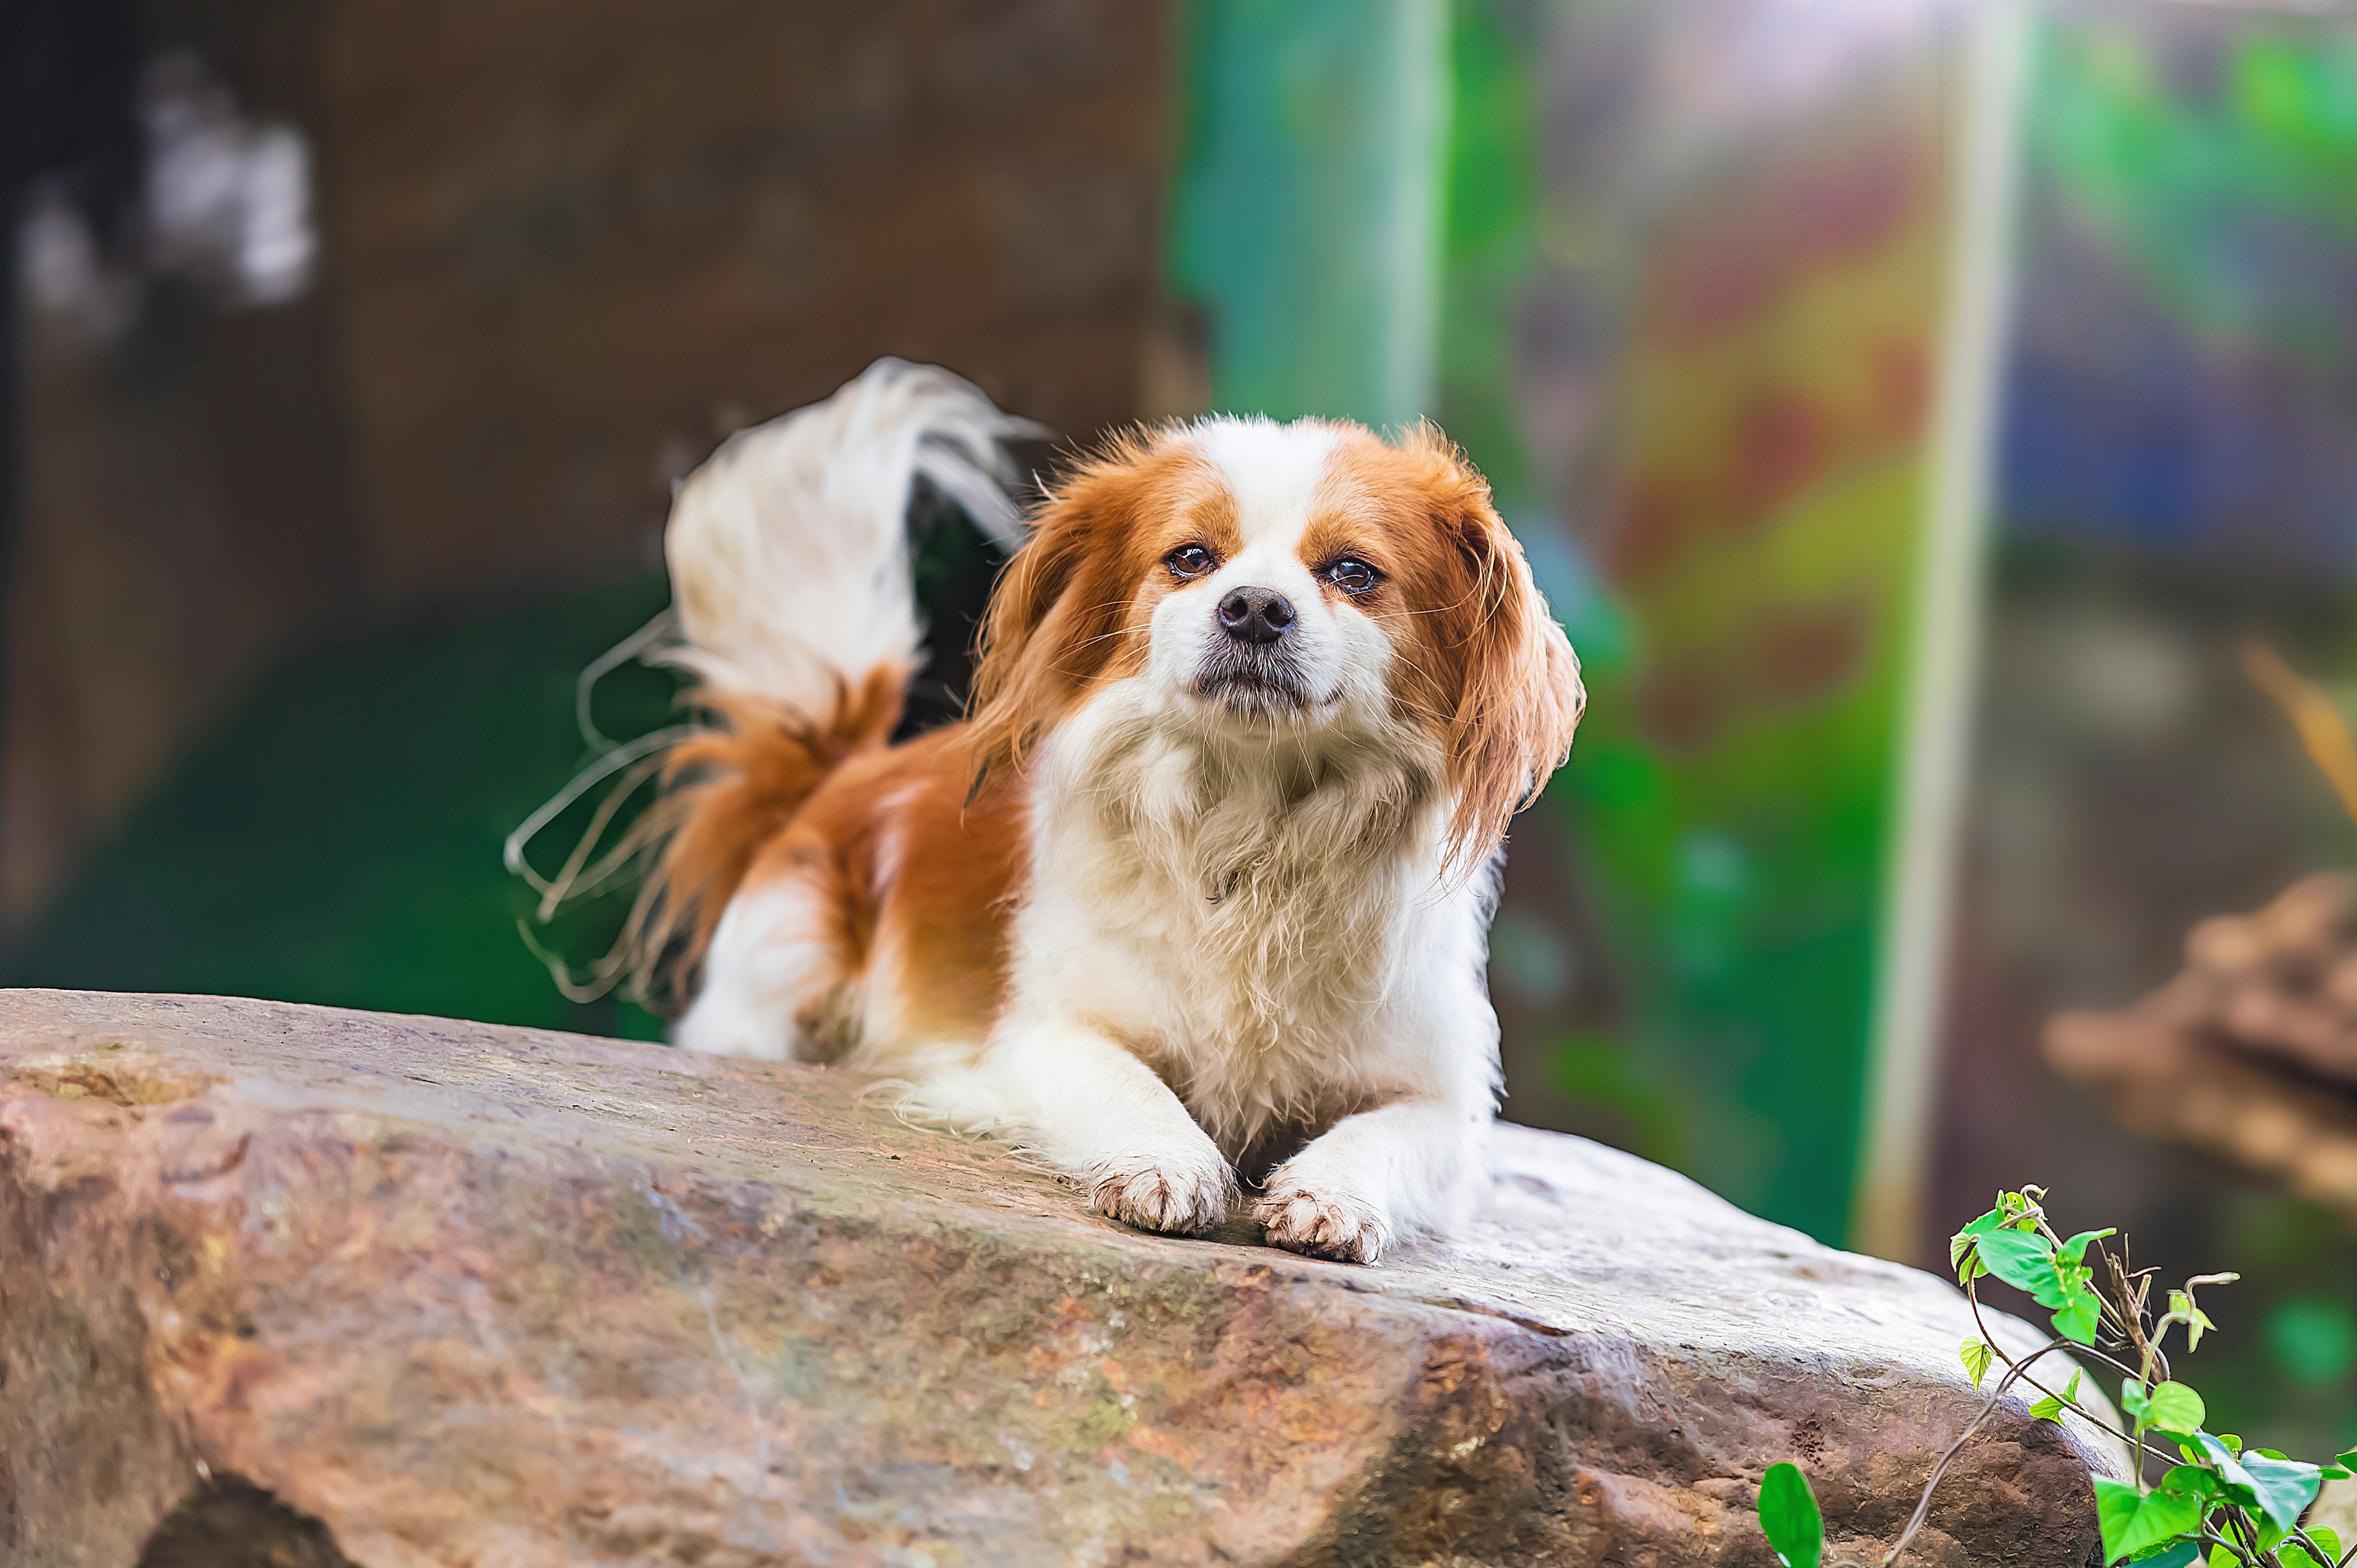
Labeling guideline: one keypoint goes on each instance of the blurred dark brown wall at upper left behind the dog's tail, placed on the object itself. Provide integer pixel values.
(565, 249)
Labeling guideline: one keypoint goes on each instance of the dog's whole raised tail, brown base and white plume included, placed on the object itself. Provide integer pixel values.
(798, 614)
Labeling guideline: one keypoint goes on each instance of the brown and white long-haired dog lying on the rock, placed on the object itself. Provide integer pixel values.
(1203, 878)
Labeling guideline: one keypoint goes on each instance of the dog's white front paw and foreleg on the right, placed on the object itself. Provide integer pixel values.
(1378, 1175)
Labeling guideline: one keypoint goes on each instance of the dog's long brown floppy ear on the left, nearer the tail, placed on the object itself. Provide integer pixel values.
(1059, 607)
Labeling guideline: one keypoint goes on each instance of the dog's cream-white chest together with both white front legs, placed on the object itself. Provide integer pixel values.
(1333, 970)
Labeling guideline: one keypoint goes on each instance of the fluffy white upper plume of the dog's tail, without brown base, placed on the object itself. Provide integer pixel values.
(788, 548)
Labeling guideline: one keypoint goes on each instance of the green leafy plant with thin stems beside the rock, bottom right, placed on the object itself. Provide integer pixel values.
(2214, 1501)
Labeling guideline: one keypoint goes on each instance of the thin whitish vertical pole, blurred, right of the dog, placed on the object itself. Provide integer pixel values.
(1948, 602)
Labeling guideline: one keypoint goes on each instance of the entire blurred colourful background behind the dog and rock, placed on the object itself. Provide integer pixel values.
(1934, 423)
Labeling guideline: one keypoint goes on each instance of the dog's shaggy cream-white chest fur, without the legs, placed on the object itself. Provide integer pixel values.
(1255, 918)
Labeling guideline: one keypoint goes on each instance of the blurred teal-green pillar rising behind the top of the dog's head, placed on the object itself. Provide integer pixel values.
(1307, 211)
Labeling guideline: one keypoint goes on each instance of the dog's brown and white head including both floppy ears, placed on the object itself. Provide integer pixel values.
(1288, 579)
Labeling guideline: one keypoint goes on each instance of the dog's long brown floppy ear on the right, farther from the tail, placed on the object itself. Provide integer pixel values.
(1510, 671)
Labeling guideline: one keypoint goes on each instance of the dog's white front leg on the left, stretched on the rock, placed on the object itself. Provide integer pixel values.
(1100, 1114)
